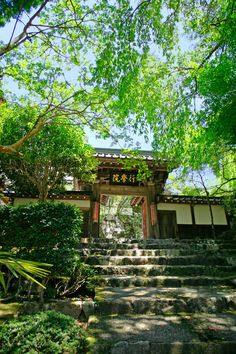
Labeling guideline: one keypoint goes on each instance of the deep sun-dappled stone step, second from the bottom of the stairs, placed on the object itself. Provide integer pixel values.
(142, 300)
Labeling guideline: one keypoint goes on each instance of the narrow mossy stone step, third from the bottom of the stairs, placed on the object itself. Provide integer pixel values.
(159, 281)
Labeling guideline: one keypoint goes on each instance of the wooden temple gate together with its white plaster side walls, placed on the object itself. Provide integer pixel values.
(164, 216)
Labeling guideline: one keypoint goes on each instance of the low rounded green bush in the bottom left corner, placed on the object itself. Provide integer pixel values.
(45, 332)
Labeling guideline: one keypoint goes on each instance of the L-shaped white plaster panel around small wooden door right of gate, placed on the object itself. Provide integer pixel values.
(183, 212)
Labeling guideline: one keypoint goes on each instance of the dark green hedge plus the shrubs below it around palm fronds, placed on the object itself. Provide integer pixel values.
(48, 233)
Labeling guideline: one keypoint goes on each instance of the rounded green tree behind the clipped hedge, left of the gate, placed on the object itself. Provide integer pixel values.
(57, 151)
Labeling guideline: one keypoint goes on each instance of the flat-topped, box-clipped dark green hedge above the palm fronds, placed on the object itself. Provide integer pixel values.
(42, 224)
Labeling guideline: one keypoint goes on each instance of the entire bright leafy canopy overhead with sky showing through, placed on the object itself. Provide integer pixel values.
(122, 63)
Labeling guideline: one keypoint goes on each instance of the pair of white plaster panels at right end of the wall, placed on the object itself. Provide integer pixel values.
(203, 217)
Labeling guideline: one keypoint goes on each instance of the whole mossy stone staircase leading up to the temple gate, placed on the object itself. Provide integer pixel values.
(163, 296)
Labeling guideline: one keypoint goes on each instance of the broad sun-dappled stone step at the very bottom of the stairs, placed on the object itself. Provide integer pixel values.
(146, 334)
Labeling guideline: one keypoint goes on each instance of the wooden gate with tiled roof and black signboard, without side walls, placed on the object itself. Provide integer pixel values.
(113, 179)
